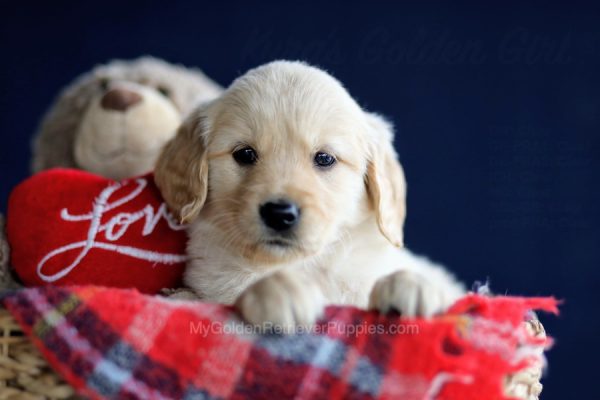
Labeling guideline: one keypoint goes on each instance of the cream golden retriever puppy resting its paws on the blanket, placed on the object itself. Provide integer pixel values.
(295, 199)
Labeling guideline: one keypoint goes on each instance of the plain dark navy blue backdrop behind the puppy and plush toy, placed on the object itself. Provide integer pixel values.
(497, 110)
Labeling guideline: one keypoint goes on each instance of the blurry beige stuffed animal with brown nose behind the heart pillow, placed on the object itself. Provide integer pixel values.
(112, 121)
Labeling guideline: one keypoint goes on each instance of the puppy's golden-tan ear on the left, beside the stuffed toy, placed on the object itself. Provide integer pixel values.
(181, 172)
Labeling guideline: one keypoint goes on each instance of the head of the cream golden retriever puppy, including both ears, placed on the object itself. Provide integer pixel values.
(282, 165)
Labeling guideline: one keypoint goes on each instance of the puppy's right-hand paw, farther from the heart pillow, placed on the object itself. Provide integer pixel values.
(411, 294)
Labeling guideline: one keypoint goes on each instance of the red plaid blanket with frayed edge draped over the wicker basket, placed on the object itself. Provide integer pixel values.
(120, 344)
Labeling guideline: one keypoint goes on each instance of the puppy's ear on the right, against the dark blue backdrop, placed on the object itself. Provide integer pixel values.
(385, 181)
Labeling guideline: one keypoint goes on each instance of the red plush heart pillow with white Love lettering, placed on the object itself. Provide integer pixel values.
(70, 227)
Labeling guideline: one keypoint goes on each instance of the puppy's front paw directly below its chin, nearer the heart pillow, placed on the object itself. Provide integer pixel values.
(281, 303)
